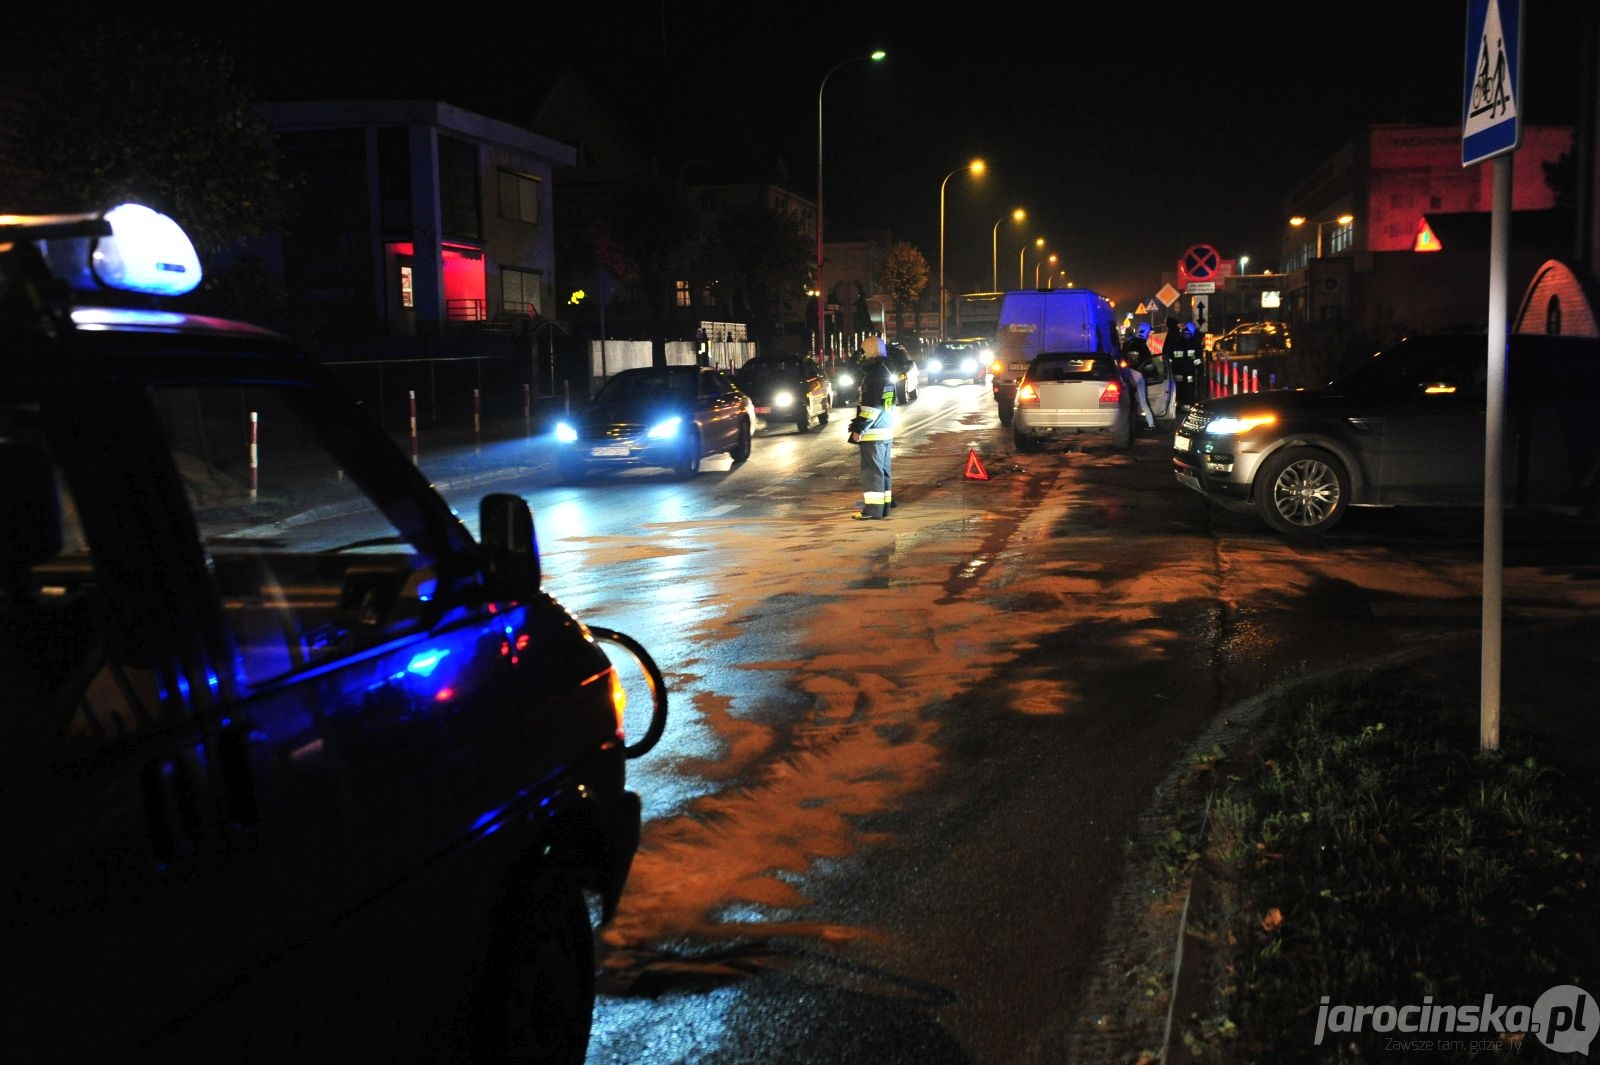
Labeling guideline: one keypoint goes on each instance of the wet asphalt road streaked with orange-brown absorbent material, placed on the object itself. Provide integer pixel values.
(910, 762)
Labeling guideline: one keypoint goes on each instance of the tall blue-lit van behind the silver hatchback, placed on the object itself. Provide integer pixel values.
(1047, 321)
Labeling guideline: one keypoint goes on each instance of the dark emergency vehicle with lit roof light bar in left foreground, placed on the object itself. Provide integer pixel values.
(297, 768)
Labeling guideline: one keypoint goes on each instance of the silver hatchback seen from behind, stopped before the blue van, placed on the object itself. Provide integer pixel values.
(1066, 394)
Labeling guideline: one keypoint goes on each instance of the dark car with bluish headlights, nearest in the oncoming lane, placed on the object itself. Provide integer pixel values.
(657, 417)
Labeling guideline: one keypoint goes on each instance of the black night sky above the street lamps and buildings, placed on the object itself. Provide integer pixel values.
(1129, 132)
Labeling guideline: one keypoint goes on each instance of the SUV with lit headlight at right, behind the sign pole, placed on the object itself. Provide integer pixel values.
(1406, 426)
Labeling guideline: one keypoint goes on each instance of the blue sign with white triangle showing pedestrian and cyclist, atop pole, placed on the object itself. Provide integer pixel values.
(1492, 81)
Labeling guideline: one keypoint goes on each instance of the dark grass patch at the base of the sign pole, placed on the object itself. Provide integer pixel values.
(1366, 850)
